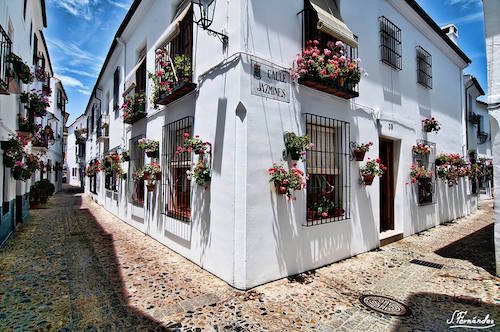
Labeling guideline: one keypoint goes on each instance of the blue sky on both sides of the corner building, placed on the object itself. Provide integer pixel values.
(80, 32)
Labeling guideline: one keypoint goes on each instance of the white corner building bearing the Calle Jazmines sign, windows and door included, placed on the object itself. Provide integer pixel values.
(240, 100)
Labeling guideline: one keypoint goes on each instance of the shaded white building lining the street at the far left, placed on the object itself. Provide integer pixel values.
(21, 33)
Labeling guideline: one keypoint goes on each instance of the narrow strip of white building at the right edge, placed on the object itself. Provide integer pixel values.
(492, 30)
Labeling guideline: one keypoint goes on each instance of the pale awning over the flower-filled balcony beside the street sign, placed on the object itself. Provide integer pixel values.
(330, 22)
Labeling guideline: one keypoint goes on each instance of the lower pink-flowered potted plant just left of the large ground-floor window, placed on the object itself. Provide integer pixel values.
(286, 182)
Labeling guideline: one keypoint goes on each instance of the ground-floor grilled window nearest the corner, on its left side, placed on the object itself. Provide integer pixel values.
(175, 182)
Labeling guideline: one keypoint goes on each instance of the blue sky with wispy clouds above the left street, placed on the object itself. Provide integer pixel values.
(78, 36)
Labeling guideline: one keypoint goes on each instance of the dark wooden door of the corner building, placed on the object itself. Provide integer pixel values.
(387, 186)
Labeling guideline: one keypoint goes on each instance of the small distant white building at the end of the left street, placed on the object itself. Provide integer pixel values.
(75, 157)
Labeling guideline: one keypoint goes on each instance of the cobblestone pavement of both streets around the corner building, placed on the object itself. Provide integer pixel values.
(75, 267)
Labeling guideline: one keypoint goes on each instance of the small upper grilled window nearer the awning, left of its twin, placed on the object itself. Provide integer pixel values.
(390, 44)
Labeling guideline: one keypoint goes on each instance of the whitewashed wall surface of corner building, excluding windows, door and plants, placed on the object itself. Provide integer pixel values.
(239, 228)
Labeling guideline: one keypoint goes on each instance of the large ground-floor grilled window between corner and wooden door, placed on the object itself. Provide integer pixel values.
(328, 166)
